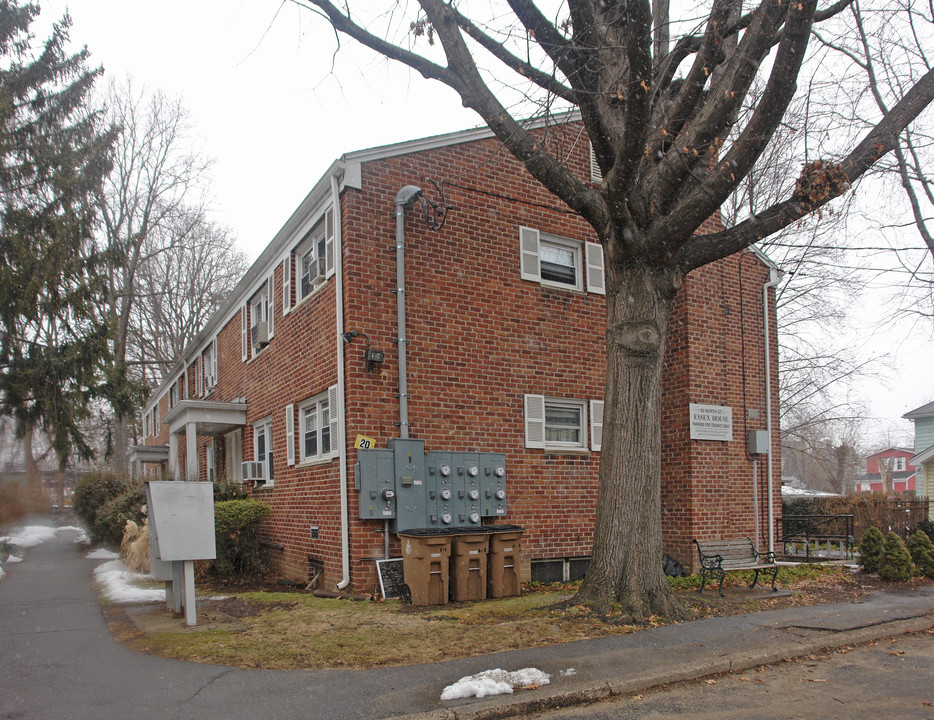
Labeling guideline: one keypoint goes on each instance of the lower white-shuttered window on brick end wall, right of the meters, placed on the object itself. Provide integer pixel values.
(562, 423)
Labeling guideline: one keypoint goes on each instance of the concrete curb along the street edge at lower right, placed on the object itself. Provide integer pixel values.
(731, 662)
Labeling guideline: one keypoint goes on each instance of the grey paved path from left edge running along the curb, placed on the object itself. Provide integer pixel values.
(58, 660)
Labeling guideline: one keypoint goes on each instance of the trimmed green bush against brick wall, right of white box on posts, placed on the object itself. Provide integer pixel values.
(236, 529)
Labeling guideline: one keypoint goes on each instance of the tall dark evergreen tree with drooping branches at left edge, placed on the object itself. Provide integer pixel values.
(53, 156)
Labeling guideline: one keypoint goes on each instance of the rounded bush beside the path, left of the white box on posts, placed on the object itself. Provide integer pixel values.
(97, 491)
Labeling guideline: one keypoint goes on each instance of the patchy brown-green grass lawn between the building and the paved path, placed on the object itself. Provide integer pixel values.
(295, 630)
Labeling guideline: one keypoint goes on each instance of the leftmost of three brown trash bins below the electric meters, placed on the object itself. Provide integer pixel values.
(426, 557)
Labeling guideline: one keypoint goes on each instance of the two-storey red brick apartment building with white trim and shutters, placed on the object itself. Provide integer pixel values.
(504, 356)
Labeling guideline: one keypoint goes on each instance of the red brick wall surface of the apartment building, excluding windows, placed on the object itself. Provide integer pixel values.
(478, 339)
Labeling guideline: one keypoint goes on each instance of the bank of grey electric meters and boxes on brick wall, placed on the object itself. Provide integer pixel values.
(439, 489)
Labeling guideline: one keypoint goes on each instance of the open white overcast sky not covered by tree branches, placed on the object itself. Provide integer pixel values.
(257, 78)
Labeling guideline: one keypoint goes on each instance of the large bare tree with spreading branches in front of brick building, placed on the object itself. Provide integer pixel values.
(661, 110)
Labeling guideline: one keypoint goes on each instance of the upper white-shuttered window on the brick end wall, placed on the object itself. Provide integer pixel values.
(560, 262)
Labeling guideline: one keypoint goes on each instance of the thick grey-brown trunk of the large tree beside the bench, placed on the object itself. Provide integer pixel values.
(626, 566)
